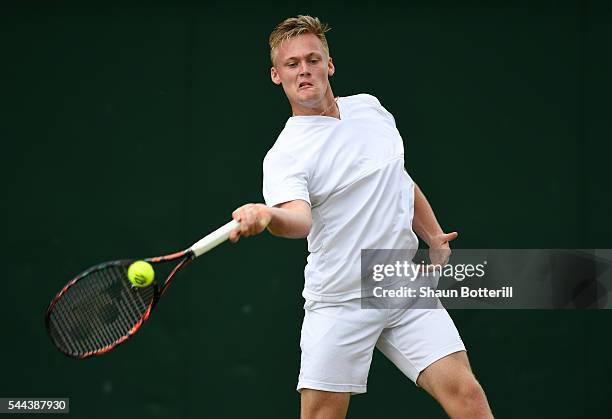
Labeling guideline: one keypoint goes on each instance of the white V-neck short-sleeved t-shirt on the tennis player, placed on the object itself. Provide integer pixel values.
(351, 172)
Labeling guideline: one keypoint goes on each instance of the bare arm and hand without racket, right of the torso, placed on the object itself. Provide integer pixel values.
(426, 226)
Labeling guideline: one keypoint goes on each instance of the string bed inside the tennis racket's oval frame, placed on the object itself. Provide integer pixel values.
(98, 310)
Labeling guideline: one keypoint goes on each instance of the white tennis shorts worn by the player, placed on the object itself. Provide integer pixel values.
(338, 341)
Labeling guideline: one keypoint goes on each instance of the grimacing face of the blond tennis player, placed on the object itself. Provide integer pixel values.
(302, 67)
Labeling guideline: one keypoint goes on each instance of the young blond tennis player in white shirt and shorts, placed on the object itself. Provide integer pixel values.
(336, 175)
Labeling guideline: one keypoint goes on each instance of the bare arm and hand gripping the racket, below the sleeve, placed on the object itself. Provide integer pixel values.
(290, 219)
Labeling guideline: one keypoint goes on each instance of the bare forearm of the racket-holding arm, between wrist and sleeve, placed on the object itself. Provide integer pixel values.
(291, 220)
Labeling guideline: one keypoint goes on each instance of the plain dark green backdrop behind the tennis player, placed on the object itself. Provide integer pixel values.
(130, 130)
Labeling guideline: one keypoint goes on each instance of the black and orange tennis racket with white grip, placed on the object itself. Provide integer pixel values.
(100, 308)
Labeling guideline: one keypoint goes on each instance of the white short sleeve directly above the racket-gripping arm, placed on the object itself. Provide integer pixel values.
(284, 179)
